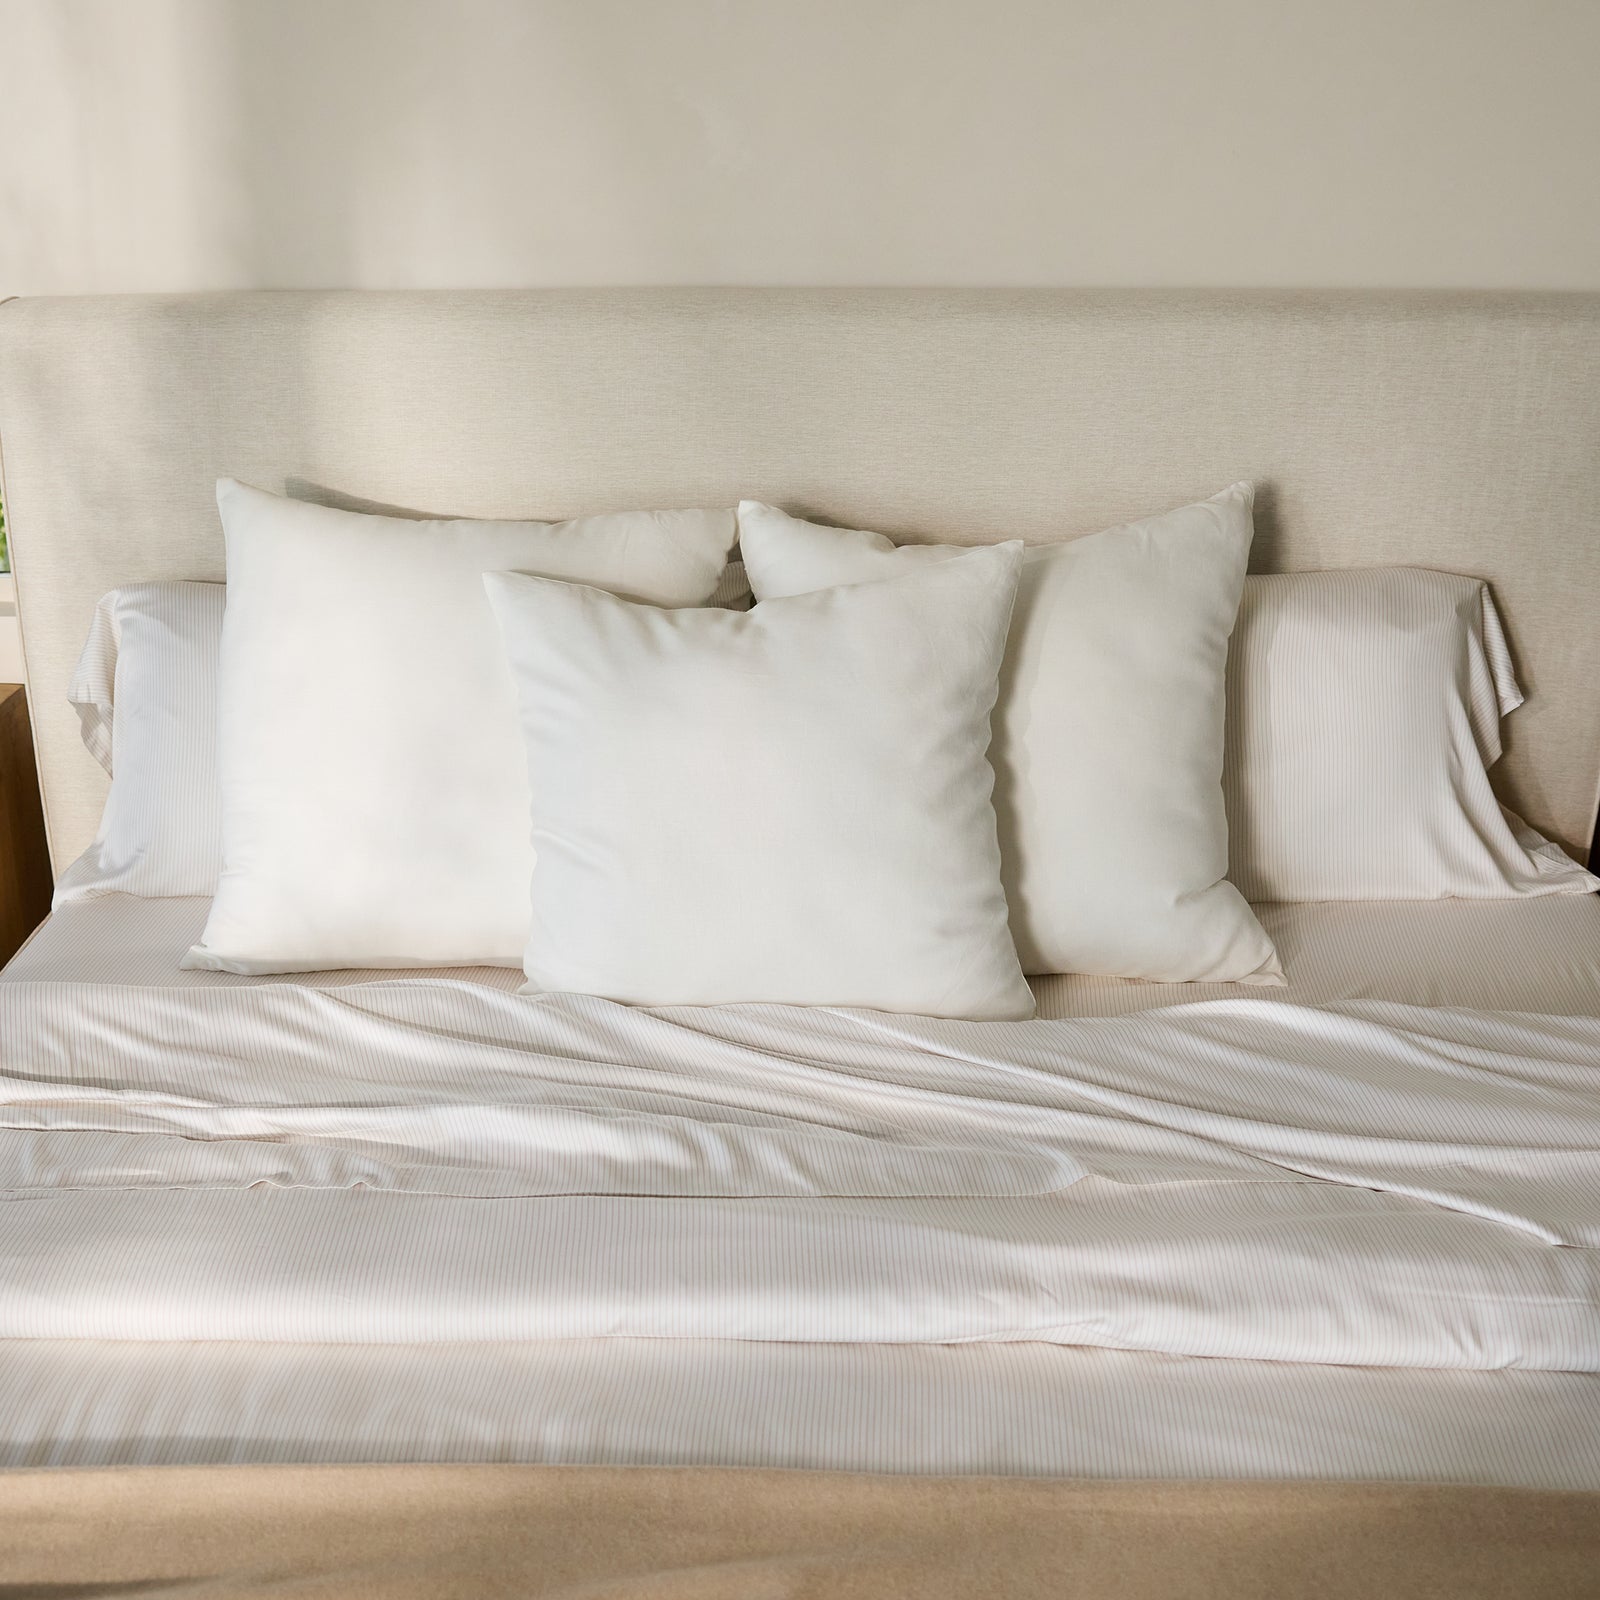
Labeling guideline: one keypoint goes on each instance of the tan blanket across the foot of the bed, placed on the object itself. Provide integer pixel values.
(646, 1534)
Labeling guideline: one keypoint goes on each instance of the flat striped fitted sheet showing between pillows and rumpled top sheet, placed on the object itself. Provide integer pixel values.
(1498, 956)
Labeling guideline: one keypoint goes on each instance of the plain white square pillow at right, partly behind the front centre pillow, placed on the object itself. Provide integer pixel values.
(1108, 735)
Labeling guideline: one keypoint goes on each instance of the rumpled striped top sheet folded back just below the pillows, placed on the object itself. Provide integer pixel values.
(426, 1161)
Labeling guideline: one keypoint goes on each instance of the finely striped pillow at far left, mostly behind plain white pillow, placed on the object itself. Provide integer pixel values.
(145, 690)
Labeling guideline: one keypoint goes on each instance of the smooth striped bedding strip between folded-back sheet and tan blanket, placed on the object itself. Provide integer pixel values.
(996, 1409)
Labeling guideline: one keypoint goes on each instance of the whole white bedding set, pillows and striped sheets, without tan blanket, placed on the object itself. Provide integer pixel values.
(529, 1002)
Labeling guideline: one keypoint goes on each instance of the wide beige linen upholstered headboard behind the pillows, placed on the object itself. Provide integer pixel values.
(1454, 431)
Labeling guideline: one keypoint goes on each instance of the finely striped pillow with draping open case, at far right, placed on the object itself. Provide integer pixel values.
(1364, 716)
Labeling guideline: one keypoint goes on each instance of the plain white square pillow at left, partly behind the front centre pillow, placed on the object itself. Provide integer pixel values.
(375, 799)
